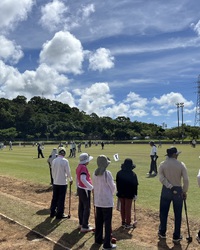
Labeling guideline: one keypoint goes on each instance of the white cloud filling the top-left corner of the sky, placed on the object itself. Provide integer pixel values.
(12, 12)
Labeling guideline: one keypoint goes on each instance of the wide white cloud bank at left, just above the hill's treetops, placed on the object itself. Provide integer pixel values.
(44, 81)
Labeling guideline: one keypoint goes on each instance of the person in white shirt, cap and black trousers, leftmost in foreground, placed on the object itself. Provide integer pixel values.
(61, 173)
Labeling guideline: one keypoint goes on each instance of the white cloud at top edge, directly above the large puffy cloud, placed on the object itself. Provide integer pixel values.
(53, 15)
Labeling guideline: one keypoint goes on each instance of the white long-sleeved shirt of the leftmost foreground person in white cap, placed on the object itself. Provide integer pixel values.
(61, 171)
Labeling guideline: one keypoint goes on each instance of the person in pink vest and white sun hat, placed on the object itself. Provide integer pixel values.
(84, 188)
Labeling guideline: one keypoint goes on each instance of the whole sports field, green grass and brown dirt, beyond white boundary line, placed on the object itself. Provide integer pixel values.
(23, 167)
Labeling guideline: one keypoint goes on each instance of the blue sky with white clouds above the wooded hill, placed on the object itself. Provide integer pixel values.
(132, 58)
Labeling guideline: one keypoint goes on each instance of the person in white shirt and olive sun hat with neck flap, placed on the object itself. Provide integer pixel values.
(104, 189)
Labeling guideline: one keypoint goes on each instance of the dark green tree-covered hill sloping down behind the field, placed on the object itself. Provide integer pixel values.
(41, 118)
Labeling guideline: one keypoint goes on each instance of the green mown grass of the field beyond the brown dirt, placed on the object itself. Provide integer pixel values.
(22, 163)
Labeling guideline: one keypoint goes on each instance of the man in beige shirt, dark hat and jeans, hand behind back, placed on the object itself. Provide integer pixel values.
(174, 178)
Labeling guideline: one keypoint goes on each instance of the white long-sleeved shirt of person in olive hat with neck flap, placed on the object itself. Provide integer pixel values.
(104, 189)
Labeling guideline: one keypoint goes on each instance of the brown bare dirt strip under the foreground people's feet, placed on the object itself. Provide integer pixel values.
(12, 235)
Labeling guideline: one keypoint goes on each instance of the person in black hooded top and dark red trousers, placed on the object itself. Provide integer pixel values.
(127, 190)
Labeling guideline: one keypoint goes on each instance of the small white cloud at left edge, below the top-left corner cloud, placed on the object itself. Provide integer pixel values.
(9, 51)
